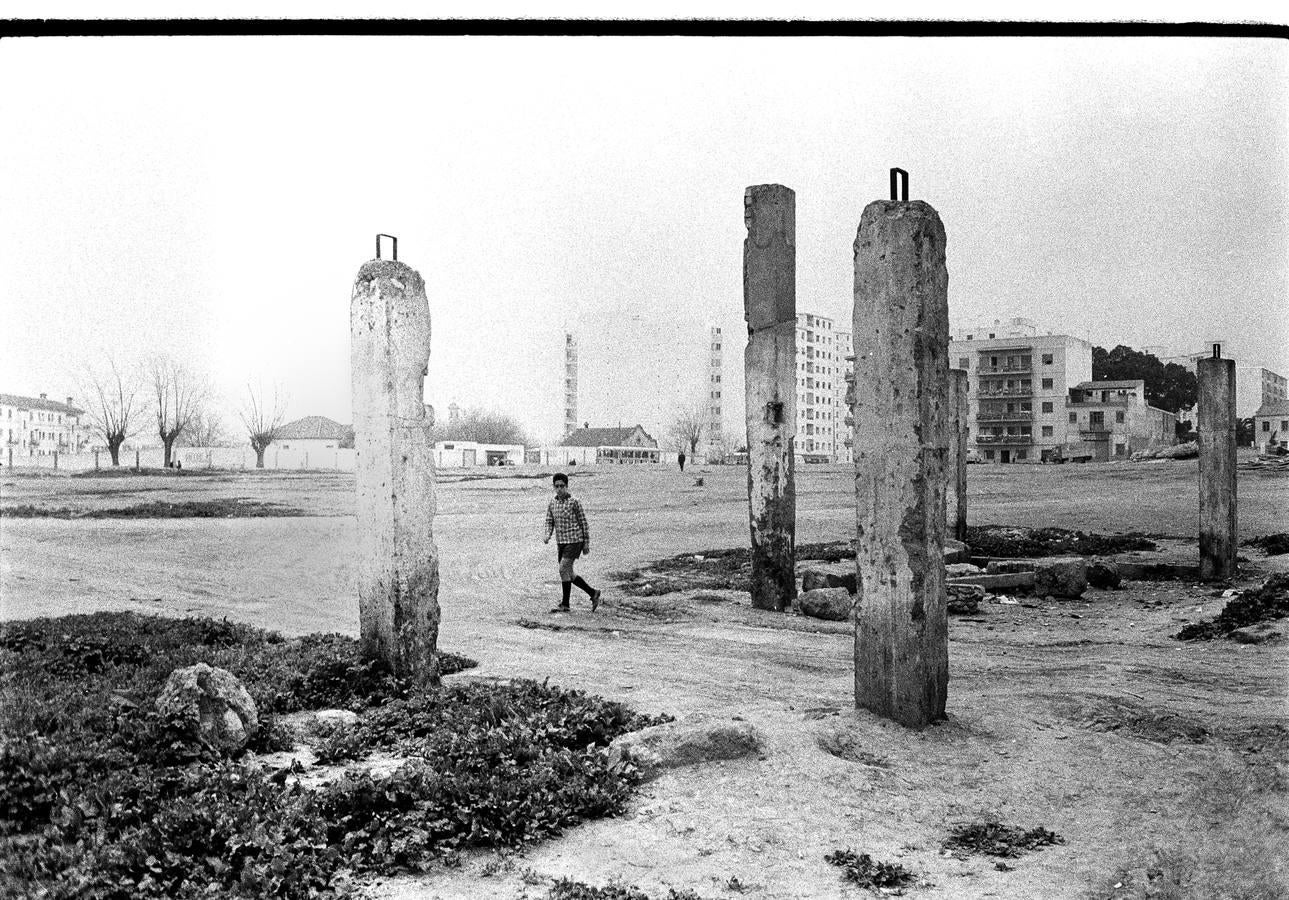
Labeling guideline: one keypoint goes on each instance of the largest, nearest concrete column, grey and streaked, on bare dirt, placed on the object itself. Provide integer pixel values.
(903, 421)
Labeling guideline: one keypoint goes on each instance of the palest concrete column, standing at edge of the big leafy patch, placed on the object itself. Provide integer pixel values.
(398, 560)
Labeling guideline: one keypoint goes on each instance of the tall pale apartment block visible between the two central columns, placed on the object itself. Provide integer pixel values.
(820, 389)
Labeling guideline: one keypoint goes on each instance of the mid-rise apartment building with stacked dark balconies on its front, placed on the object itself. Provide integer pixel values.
(1019, 382)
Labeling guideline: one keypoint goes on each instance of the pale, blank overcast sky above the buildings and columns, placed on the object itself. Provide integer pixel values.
(216, 197)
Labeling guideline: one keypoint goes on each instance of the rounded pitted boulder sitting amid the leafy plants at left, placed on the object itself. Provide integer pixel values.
(221, 706)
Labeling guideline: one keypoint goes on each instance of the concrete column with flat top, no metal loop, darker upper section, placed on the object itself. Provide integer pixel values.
(770, 386)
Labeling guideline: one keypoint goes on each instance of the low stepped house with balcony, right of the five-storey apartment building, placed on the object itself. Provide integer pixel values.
(1113, 421)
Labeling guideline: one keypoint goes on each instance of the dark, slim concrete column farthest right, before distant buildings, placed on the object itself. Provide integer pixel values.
(1217, 427)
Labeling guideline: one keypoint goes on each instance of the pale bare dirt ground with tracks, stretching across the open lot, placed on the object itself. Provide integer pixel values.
(1087, 718)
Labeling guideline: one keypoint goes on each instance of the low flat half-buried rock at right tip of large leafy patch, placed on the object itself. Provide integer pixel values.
(676, 745)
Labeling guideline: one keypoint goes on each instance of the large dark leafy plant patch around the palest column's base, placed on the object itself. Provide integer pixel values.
(104, 797)
